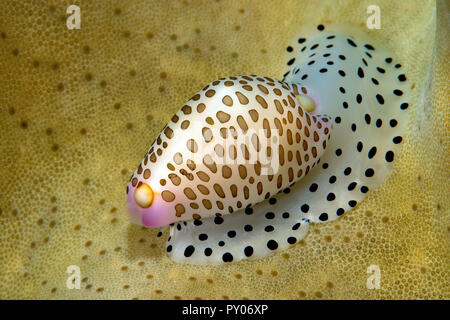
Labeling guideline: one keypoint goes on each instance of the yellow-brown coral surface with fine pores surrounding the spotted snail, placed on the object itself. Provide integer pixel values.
(79, 109)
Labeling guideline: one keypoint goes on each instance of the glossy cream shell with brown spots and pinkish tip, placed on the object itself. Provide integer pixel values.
(236, 142)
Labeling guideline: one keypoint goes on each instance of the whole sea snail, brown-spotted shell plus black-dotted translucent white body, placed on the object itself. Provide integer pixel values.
(248, 162)
